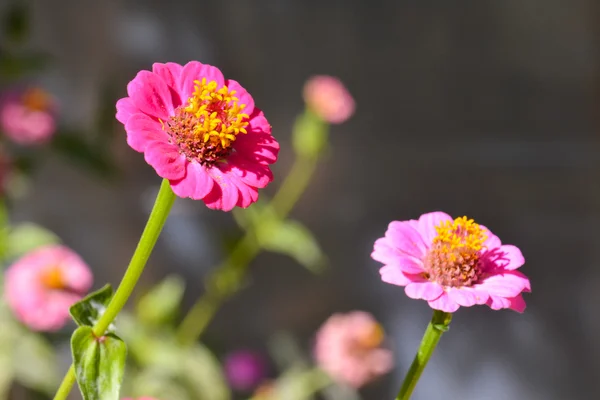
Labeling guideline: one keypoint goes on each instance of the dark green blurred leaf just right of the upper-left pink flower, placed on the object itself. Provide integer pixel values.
(73, 146)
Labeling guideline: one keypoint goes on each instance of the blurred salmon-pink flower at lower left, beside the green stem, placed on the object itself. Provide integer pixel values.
(41, 286)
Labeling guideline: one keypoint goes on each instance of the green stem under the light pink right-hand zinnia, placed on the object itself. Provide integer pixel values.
(439, 324)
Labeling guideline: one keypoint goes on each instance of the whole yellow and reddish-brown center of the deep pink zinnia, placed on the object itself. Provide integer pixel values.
(206, 126)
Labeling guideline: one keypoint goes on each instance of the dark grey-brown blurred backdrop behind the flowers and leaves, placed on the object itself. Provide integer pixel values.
(487, 109)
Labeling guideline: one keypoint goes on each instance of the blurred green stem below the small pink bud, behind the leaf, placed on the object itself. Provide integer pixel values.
(229, 275)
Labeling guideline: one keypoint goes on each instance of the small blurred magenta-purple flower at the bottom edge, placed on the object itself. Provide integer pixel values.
(245, 369)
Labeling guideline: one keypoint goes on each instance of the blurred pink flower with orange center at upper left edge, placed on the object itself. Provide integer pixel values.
(28, 116)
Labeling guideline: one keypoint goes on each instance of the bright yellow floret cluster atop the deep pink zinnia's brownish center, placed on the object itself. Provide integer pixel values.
(218, 112)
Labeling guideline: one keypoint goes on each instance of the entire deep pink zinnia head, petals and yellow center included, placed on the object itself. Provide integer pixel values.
(200, 131)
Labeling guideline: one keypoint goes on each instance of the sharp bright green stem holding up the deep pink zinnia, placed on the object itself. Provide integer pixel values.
(158, 217)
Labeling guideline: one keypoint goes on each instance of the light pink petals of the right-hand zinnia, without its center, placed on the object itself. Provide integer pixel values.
(403, 252)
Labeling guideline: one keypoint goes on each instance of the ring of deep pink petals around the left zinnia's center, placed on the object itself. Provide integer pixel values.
(232, 181)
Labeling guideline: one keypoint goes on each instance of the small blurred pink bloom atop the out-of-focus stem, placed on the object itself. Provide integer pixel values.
(327, 97)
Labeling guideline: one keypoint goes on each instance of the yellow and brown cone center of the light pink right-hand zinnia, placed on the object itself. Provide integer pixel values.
(454, 257)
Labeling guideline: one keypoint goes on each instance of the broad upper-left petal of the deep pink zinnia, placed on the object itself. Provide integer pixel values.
(151, 95)
